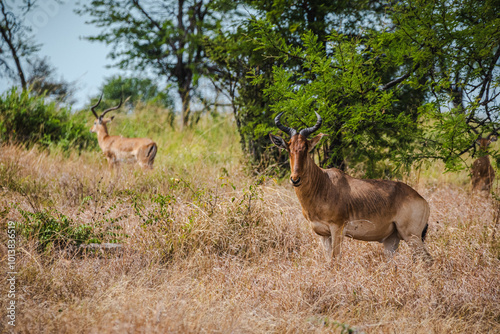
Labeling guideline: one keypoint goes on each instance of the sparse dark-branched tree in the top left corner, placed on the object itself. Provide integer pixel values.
(16, 43)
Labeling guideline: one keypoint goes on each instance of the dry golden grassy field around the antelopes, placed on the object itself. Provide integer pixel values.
(209, 247)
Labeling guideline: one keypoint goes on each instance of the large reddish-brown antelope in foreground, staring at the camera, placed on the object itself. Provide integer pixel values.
(336, 204)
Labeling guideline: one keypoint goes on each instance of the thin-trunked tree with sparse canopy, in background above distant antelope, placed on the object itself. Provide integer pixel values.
(163, 37)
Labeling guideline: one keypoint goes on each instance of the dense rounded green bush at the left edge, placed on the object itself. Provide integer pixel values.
(28, 119)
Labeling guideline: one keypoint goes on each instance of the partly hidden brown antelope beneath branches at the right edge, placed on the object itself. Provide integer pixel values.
(483, 173)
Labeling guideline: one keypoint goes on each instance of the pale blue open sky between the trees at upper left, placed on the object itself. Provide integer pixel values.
(61, 33)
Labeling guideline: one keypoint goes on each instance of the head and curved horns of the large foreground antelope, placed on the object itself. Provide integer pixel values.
(298, 147)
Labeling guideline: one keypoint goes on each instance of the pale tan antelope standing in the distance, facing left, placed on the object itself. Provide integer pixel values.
(118, 148)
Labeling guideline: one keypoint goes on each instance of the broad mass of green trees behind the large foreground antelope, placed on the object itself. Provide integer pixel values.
(395, 84)
